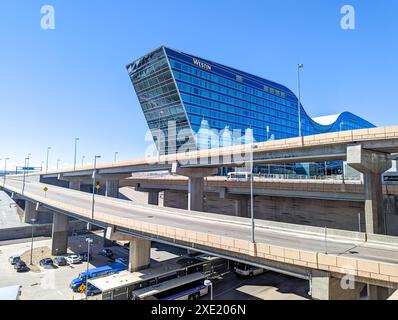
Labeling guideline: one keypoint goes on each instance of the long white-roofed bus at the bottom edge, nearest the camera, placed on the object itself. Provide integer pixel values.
(190, 287)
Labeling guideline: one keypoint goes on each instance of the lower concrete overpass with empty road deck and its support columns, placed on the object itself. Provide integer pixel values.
(305, 252)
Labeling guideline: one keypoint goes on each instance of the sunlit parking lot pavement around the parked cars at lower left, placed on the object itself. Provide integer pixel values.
(53, 283)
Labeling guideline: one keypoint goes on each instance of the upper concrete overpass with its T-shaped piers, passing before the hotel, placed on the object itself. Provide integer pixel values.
(366, 150)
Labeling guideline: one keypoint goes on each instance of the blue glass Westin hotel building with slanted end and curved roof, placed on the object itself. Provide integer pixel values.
(200, 94)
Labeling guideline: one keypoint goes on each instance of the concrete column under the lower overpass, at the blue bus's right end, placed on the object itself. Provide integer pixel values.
(140, 254)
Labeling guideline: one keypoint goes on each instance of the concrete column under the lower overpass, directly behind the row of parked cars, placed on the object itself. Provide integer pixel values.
(60, 234)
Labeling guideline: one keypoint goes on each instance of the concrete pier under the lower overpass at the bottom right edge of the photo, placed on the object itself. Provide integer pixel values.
(326, 287)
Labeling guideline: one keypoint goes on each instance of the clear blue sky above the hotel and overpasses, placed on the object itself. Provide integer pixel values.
(72, 81)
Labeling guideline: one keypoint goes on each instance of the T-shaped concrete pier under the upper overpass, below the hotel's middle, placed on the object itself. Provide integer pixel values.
(195, 184)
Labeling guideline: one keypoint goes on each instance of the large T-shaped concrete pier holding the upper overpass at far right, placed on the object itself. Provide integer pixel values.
(372, 164)
